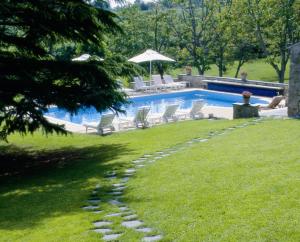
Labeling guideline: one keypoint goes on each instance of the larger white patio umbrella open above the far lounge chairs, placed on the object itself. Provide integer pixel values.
(150, 55)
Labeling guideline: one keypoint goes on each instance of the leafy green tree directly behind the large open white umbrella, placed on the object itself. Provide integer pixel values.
(142, 30)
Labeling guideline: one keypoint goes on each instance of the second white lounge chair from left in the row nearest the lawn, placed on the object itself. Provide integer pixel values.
(139, 120)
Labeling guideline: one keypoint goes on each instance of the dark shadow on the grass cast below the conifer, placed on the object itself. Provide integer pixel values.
(36, 185)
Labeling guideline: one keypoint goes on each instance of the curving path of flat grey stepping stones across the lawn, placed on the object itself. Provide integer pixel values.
(130, 218)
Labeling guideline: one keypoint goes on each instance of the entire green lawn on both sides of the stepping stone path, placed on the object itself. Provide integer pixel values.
(242, 186)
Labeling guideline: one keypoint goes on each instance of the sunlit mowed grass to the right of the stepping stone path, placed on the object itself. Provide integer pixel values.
(242, 186)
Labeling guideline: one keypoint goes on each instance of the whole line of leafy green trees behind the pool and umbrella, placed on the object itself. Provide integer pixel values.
(204, 32)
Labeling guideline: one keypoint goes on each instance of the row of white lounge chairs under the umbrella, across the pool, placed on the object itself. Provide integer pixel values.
(157, 83)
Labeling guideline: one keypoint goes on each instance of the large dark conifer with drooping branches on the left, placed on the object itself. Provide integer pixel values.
(32, 79)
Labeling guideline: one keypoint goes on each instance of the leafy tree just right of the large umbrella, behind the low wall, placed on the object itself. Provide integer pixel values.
(191, 24)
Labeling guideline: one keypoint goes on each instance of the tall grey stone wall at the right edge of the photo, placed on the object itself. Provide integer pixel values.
(294, 83)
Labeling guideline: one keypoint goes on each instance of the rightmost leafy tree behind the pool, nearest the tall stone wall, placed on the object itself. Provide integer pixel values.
(276, 27)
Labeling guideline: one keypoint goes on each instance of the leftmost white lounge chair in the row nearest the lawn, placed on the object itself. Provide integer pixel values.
(104, 126)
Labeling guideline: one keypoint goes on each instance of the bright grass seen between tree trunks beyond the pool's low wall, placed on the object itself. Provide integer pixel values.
(257, 70)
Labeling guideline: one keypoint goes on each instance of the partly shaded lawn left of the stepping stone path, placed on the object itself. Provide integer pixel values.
(45, 204)
